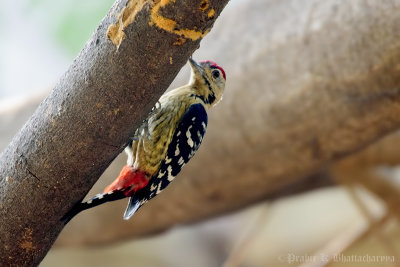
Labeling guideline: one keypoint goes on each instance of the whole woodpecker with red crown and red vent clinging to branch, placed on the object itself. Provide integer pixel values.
(165, 141)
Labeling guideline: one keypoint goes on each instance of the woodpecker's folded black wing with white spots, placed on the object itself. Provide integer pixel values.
(184, 144)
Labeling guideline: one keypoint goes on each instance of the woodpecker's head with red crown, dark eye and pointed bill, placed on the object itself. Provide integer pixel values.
(208, 79)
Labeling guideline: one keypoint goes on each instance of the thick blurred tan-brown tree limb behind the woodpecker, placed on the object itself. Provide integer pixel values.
(307, 83)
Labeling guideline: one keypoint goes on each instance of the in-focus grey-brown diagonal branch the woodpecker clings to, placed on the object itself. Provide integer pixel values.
(76, 132)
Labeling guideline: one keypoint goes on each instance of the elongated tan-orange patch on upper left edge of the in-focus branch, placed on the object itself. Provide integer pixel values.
(115, 32)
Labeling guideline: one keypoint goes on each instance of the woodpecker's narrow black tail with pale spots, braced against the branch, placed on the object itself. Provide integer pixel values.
(93, 202)
